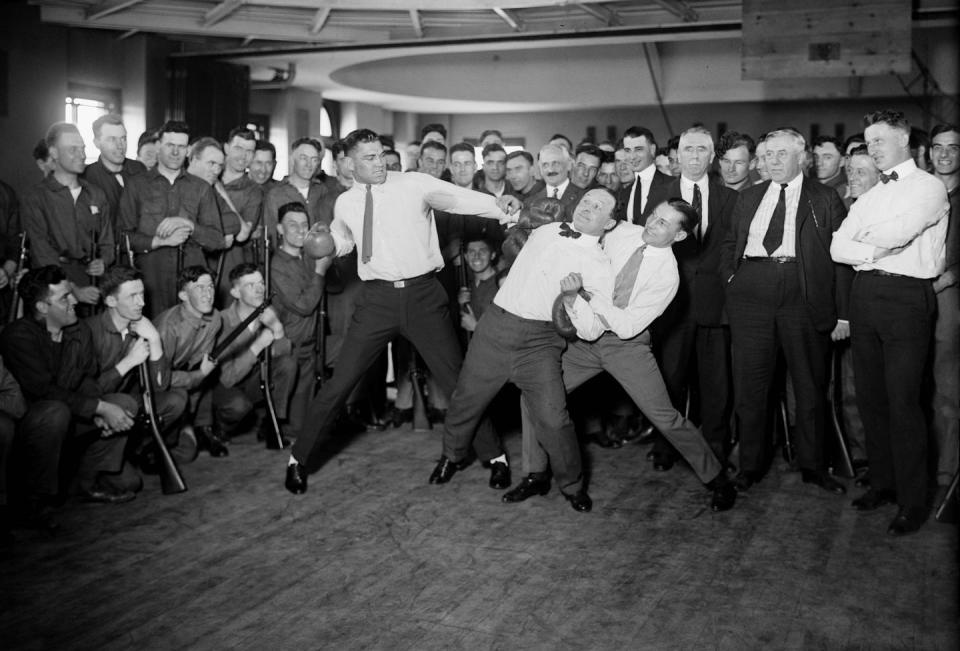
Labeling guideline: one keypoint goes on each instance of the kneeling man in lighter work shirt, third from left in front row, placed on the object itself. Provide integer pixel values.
(188, 332)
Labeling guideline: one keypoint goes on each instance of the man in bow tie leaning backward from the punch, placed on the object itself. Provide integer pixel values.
(516, 342)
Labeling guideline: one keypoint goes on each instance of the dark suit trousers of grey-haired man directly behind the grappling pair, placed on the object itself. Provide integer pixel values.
(680, 343)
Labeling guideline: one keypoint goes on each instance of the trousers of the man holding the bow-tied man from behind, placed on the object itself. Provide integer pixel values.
(632, 364)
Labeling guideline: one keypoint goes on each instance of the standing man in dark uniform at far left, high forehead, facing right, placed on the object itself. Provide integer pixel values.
(67, 219)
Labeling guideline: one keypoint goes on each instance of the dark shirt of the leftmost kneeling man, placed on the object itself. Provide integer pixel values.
(62, 370)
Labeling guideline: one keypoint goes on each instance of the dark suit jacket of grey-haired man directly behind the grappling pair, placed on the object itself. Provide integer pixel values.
(700, 296)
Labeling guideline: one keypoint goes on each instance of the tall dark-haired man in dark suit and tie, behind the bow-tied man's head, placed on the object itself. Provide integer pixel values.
(637, 200)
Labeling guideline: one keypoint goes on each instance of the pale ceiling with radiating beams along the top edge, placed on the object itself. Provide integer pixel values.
(254, 24)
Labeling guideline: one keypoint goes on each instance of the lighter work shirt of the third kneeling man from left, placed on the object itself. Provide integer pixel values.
(186, 338)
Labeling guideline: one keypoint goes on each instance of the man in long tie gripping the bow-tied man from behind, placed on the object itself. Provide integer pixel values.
(612, 327)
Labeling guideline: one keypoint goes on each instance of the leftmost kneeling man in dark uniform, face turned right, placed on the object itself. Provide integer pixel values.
(53, 359)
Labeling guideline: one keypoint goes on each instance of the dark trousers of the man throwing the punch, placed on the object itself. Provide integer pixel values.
(419, 312)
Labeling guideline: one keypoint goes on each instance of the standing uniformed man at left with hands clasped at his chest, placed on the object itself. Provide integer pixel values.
(170, 217)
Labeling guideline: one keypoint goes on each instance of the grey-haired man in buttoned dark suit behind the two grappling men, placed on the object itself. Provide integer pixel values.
(694, 322)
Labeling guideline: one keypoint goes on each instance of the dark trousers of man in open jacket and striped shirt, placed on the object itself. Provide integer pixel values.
(767, 312)
